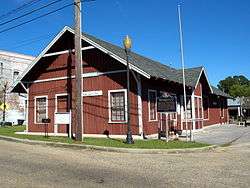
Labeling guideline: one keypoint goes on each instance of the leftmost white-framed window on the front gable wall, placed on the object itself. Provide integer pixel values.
(41, 108)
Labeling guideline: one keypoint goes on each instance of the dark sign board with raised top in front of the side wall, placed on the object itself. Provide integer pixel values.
(166, 102)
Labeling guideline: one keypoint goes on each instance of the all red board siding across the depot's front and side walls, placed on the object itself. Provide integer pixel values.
(95, 109)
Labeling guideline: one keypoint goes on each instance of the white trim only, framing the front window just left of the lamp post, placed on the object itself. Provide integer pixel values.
(109, 105)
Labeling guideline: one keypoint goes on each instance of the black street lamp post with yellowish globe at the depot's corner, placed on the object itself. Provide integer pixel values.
(127, 45)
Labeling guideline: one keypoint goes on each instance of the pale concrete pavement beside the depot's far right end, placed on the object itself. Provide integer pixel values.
(223, 134)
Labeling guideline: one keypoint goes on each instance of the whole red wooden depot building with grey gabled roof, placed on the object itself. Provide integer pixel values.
(49, 84)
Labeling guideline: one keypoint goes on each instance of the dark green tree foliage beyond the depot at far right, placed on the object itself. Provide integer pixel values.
(236, 86)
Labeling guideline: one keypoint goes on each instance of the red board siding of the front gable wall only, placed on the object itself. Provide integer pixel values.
(95, 108)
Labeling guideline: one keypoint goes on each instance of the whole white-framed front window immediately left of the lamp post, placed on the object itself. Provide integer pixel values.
(117, 100)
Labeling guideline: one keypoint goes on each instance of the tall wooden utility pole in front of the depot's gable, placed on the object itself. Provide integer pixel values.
(78, 72)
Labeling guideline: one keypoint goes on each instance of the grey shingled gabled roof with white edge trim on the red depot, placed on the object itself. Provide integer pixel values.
(143, 65)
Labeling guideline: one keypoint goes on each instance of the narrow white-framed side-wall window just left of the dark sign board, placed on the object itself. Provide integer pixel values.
(152, 105)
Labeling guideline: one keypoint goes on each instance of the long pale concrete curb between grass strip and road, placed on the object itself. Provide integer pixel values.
(110, 149)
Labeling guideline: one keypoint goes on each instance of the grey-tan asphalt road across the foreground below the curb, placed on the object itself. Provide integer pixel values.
(23, 165)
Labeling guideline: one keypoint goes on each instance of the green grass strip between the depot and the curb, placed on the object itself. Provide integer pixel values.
(108, 142)
